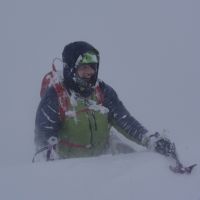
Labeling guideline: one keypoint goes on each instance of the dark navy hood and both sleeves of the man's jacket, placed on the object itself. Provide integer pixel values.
(48, 122)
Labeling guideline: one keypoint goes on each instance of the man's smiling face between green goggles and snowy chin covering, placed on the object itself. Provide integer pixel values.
(85, 71)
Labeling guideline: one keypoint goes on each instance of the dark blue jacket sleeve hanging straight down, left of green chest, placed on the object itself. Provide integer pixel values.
(47, 122)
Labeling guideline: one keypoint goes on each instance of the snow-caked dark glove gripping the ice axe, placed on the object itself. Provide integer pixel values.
(161, 144)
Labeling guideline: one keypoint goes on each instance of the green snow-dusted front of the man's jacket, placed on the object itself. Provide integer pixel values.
(85, 129)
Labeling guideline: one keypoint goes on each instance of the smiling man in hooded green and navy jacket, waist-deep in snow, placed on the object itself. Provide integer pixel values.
(74, 118)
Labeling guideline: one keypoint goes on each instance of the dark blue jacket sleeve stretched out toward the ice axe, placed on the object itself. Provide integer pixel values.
(120, 118)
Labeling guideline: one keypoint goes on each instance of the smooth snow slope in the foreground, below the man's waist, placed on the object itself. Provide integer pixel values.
(135, 176)
